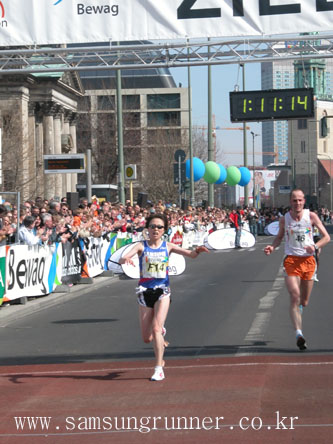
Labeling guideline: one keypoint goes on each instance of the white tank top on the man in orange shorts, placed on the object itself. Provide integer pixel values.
(298, 234)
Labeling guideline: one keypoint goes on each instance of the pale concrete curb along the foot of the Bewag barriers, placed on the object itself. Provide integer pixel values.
(17, 311)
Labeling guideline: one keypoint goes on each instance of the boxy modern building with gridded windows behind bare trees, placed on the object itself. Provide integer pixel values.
(155, 125)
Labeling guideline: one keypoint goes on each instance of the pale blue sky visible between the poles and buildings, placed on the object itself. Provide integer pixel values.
(224, 80)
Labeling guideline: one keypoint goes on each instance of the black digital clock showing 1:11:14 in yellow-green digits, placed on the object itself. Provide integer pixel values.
(272, 104)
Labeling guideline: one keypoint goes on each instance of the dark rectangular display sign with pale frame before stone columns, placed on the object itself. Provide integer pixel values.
(64, 163)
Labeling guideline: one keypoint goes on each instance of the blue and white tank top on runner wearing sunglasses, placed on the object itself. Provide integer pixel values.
(154, 266)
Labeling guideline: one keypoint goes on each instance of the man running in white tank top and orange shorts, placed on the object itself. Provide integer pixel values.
(296, 227)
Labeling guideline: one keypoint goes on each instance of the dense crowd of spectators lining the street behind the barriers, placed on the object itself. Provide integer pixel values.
(44, 222)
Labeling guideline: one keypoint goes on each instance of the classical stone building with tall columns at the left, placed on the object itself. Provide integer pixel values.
(38, 117)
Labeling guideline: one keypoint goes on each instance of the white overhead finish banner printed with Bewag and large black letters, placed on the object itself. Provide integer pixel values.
(40, 22)
